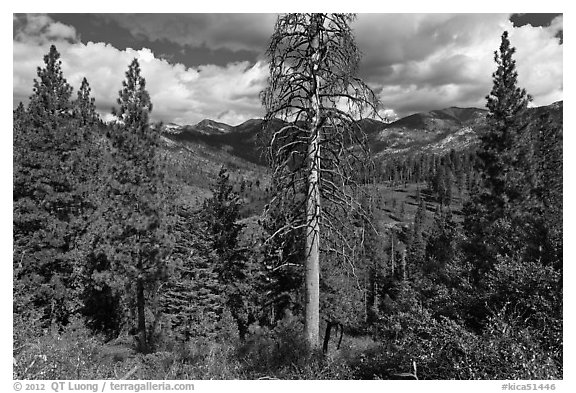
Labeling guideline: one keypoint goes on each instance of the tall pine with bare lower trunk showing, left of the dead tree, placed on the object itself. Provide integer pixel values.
(137, 237)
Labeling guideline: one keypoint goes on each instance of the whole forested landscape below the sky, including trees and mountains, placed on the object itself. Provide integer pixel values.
(153, 251)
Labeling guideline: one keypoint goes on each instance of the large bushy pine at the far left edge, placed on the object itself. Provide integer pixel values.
(51, 204)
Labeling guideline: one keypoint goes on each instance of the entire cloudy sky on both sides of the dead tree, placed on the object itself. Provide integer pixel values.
(201, 66)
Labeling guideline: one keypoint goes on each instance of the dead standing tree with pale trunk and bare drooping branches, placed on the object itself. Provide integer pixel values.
(314, 90)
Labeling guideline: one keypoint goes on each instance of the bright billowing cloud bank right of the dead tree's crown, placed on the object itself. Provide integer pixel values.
(420, 62)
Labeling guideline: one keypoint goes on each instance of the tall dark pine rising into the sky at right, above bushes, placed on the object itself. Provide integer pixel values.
(488, 220)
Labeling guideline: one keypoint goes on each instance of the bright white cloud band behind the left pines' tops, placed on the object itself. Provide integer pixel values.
(179, 94)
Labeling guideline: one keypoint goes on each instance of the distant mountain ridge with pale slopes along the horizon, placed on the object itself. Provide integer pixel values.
(437, 131)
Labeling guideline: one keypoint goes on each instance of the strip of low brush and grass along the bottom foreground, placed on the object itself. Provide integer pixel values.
(439, 348)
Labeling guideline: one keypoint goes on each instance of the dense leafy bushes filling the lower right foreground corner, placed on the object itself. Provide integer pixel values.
(443, 349)
